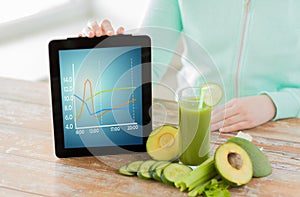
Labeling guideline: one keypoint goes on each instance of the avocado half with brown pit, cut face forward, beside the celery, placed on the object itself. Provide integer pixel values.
(233, 164)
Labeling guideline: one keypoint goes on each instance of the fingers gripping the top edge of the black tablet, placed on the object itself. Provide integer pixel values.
(94, 28)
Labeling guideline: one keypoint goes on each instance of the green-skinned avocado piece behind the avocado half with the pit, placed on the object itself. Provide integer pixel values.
(260, 163)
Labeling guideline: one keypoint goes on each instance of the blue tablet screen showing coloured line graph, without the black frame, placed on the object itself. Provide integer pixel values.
(101, 96)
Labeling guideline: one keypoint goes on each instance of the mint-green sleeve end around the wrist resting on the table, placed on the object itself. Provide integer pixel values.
(287, 103)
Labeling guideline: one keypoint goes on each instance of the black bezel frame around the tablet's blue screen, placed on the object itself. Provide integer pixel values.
(87, 43)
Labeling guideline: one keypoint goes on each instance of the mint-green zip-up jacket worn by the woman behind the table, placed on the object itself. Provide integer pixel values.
(253, 44)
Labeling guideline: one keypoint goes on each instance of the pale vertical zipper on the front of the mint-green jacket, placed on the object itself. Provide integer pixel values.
(238, 65)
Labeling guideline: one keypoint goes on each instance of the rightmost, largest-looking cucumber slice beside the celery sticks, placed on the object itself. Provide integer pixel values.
(174, 172)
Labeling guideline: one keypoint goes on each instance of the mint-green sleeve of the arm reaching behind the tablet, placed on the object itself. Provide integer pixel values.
(162, 23)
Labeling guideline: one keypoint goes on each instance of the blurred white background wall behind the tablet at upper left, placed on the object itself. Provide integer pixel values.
(24, 40)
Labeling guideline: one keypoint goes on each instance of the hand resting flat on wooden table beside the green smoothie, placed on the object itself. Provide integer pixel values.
(242, 113)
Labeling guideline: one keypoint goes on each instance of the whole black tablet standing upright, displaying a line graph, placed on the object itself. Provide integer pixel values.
(101, 94)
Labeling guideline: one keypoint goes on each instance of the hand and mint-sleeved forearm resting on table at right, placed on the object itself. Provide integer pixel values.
(249, 112)
